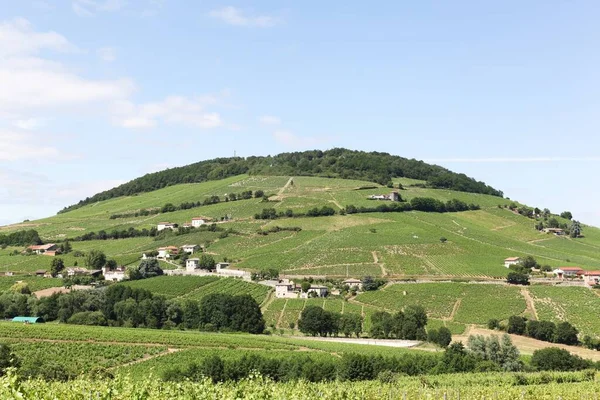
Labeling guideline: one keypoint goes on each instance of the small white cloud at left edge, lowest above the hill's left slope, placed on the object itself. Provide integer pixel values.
(21, 146)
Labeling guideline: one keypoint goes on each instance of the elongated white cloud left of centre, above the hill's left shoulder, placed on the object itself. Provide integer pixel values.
(172, 110)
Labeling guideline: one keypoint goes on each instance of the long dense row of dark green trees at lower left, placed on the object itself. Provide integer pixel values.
(121, 305)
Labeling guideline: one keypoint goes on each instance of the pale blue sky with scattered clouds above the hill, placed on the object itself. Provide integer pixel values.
(94, 93)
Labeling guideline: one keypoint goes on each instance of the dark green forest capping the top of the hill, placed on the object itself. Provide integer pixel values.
(334, 163)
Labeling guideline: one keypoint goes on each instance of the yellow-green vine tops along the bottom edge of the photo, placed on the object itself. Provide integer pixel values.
(258, 388)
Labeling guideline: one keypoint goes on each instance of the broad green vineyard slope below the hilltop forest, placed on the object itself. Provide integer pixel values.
(391, 244)
